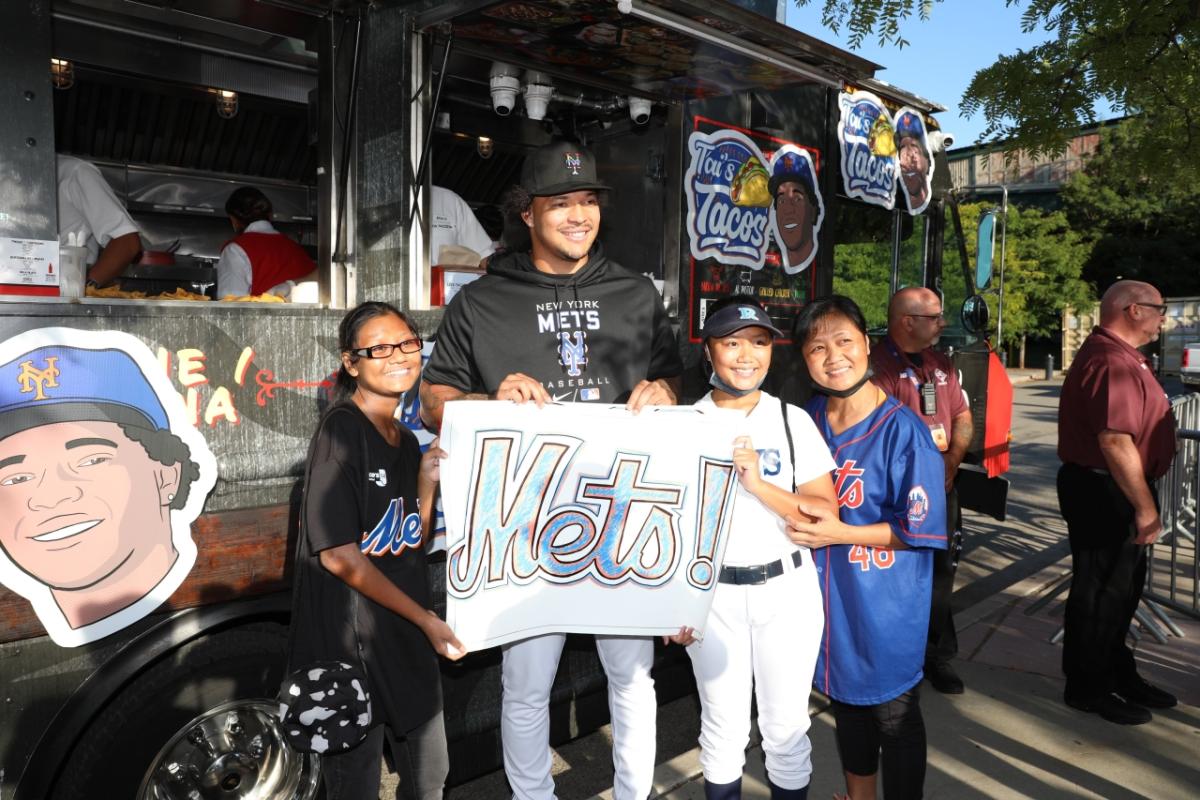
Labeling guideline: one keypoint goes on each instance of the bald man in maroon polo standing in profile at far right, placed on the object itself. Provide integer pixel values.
(1117, 436)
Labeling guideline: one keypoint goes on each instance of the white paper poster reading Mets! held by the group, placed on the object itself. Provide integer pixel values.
(585, 520)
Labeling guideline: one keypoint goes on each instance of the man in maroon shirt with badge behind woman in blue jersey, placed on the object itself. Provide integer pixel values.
(908, 368)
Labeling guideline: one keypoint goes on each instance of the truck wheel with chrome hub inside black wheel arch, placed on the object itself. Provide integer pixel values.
(199, 724)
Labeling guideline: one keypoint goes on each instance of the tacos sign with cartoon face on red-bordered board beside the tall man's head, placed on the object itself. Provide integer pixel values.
(733, 191)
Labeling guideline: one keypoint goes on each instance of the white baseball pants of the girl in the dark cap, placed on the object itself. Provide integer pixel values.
(763, 639)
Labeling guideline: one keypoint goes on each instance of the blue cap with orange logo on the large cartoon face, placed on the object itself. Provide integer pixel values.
(68, 384)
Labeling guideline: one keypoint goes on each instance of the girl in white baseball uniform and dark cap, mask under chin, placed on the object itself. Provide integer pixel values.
(763, 633)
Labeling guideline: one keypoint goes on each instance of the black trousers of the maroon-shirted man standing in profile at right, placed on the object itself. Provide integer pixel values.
(1109, 573)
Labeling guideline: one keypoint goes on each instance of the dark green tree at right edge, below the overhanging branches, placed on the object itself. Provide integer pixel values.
(1135, 225)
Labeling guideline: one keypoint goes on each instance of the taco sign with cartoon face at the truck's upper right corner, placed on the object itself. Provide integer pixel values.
(881, 152)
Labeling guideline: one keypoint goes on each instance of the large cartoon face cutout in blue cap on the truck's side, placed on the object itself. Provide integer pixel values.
(98, 482)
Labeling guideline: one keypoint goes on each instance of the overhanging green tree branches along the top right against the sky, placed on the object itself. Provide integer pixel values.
(1141, 57)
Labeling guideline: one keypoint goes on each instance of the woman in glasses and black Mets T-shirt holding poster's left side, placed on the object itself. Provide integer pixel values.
(363, 593)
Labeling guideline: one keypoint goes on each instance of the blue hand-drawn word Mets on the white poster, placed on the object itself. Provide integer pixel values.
(617, 528)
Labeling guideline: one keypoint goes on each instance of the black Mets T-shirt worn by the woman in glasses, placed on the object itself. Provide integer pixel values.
(362, 490)
